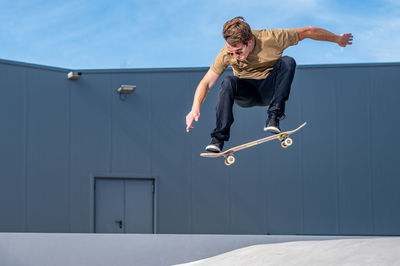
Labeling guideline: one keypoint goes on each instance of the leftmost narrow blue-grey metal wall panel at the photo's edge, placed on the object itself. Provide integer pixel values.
(12, 148)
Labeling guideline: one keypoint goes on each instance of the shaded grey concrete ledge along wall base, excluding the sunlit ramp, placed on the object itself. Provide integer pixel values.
(30, 249)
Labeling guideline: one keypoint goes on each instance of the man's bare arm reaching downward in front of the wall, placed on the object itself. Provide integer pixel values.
(200, 95)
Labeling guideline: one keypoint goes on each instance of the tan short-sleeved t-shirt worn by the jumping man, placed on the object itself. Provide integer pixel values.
(270, 45)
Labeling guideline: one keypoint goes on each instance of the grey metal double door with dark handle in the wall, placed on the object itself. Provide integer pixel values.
(124, 206)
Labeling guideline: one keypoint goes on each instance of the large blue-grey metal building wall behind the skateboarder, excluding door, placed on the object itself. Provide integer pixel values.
(341, 176)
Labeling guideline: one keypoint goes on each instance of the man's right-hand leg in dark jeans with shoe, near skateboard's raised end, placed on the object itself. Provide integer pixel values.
(281, 77)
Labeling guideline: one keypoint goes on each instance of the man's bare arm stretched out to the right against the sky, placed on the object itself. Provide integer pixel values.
(324, 35)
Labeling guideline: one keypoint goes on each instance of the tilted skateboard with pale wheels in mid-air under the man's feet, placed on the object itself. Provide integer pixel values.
(283, 137)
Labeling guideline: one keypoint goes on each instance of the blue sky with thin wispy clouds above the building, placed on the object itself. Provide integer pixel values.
(106, 34)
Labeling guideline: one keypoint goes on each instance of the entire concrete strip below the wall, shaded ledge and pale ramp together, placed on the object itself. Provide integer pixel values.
(33, 249)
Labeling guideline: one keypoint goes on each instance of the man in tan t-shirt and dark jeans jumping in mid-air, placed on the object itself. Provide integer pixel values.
(262, 77)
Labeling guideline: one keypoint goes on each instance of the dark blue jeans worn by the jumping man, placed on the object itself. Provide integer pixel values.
(273, 91)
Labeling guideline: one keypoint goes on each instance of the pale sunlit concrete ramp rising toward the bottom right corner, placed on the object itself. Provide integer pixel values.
(374, 251)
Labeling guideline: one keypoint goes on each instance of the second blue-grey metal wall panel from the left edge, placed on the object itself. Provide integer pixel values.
(47, 152)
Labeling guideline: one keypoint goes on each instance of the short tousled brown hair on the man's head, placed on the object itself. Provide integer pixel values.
(237, 31)
